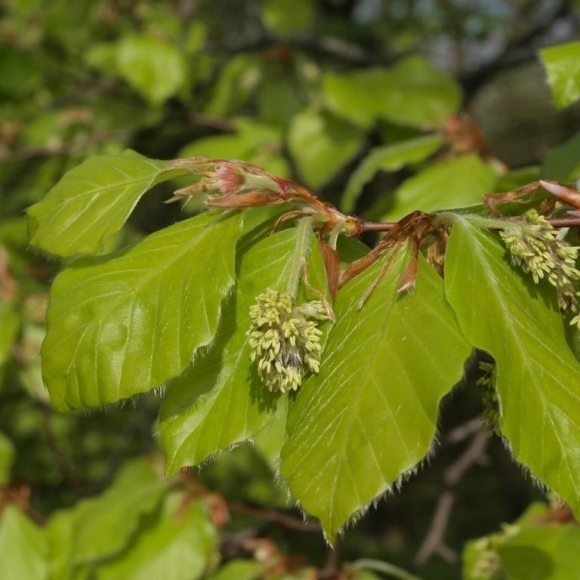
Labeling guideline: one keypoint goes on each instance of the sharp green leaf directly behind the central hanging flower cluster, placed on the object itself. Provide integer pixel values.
(221, 401)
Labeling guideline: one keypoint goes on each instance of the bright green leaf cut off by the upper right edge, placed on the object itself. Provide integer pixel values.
(562, 65)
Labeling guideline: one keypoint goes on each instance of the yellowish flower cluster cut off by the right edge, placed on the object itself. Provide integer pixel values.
(538, 248)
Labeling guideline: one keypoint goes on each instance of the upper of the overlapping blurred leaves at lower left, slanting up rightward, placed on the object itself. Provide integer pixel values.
(104, 525)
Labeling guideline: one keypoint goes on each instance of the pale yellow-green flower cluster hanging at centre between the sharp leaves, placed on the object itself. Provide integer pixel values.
(284, 342)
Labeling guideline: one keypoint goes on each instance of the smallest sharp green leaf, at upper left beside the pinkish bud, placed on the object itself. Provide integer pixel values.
(92, 202)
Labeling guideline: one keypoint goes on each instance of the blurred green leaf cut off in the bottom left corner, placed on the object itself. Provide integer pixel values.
(23, 549)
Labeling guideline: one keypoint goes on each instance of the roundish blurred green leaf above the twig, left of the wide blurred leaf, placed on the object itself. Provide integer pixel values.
(321, 144)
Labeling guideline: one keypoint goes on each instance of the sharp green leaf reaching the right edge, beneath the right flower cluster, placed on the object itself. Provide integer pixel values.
(501, 311)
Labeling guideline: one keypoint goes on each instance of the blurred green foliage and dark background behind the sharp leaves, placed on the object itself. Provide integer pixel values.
(381, 107)
